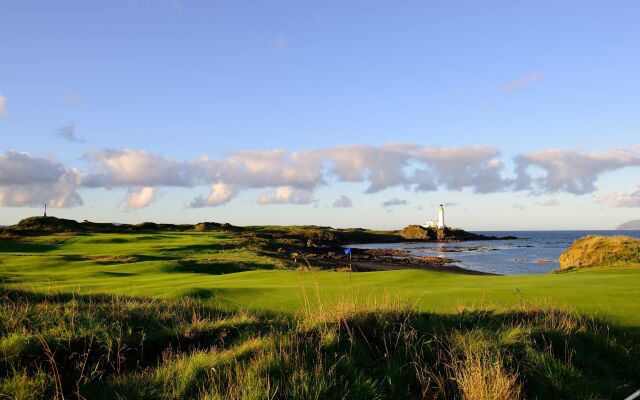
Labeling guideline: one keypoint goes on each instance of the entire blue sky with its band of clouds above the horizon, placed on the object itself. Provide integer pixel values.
(514, 115)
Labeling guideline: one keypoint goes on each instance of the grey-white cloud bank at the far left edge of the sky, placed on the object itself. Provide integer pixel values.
(28, 181)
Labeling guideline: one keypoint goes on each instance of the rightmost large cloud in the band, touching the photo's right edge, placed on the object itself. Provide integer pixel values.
(573, 171)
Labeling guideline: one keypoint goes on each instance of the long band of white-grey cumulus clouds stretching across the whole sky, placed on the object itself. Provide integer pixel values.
(293, 177)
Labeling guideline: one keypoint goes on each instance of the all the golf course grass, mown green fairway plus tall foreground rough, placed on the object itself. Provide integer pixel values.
(222, 315)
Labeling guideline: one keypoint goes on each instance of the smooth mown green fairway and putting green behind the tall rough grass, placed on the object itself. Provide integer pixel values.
(227, 271)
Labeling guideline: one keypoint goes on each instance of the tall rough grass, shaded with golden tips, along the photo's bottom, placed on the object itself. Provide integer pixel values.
(109, 347)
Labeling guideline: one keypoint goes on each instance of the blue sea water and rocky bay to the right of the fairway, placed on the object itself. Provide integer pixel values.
(534, 252)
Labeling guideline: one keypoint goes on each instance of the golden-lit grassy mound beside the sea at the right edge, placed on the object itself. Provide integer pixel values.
(601, 251)
